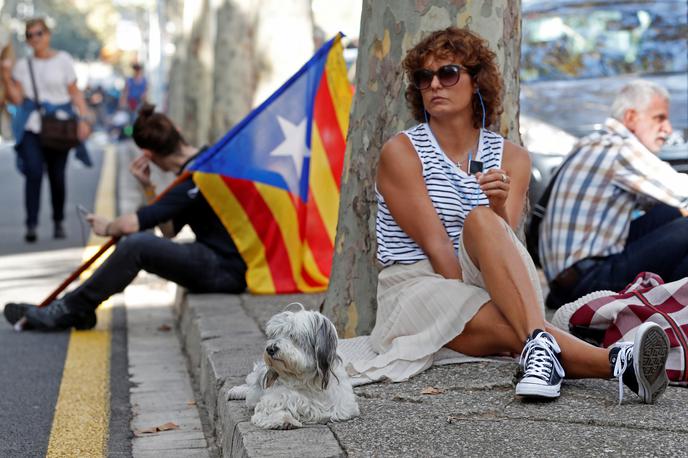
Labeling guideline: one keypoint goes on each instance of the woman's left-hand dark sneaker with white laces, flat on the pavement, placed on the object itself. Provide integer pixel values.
(542, 369)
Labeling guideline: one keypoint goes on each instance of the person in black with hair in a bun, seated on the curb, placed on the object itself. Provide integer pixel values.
(210, 264)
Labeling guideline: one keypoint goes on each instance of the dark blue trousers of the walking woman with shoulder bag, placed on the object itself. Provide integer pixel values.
(37, 159)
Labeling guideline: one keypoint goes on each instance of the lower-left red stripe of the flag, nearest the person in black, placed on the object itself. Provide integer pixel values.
(265, 226)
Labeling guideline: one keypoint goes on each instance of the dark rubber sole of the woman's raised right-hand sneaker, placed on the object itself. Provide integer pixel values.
(651, 346)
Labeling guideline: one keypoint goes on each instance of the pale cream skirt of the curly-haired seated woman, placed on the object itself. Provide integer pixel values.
(419, 312)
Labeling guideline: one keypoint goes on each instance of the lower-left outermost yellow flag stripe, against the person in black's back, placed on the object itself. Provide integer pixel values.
(239, 226)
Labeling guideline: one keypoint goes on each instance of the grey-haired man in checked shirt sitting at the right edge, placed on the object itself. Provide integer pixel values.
(615, 206)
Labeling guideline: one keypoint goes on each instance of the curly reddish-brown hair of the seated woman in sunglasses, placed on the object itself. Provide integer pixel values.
(474, 54)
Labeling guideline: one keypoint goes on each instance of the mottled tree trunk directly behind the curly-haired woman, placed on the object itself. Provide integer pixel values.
(388, 29)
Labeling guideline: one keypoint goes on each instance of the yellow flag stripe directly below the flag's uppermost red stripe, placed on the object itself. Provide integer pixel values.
(324, 190)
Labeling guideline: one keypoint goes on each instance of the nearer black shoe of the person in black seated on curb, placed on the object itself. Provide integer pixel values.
(56, 316)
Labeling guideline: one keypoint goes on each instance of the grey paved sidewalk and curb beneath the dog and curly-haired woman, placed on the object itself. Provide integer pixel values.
(475, 412)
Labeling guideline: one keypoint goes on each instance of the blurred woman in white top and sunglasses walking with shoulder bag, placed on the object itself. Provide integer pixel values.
(55, 80)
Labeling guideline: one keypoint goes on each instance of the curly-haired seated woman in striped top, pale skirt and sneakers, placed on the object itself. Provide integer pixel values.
(450, 196)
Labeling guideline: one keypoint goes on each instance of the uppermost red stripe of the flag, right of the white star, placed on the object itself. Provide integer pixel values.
(331, 133)
